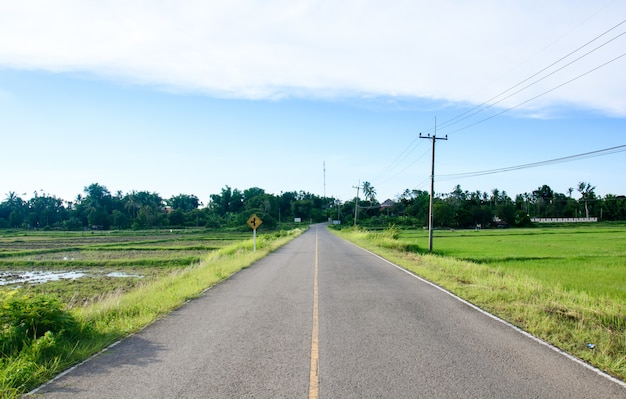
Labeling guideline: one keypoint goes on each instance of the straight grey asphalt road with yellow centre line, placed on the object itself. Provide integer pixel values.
(322, 317)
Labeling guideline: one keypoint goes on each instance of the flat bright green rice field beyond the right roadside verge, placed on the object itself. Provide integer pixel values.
(590, 259)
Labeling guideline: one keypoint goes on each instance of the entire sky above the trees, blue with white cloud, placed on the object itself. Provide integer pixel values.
(187, 97)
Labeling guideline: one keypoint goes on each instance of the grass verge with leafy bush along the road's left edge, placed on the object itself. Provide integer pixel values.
(31, 353)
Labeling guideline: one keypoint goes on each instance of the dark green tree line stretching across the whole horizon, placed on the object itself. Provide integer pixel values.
(98, 208)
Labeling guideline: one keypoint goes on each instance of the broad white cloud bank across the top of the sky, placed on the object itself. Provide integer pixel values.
(452, 50)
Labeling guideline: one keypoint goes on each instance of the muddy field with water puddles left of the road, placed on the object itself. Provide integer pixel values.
(82, 266)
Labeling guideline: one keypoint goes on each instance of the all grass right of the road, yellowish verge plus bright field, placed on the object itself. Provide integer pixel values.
(564, 285)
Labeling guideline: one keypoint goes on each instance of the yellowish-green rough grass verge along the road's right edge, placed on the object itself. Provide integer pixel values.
(592, 328)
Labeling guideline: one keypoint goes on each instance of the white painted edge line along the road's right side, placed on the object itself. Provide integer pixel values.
(506, 323)
